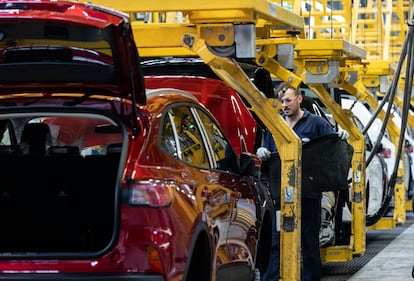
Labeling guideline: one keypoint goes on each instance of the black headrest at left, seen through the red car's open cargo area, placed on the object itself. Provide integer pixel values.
(36, 138)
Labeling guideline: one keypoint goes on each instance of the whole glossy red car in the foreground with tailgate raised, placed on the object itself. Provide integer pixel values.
(100, 180)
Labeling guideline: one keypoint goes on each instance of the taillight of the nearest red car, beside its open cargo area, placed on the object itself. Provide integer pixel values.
(153, 193)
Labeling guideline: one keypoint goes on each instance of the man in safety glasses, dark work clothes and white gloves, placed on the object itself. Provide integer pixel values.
(307, 126)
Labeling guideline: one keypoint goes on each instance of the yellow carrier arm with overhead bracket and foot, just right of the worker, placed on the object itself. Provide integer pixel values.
(322, 62)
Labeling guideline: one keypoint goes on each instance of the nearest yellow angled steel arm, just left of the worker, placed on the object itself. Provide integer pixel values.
(289, 145)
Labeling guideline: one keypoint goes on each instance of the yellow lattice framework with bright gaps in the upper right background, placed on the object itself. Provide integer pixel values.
(377, 26)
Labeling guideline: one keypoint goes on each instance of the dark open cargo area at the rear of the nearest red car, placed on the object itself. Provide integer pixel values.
(58, 190)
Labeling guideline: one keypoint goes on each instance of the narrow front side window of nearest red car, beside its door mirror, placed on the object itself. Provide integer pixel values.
(224, 156)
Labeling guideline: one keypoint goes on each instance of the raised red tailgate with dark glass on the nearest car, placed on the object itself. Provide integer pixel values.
(61, 45)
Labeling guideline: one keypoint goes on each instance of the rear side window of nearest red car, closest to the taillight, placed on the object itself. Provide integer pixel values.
(188, 143)
